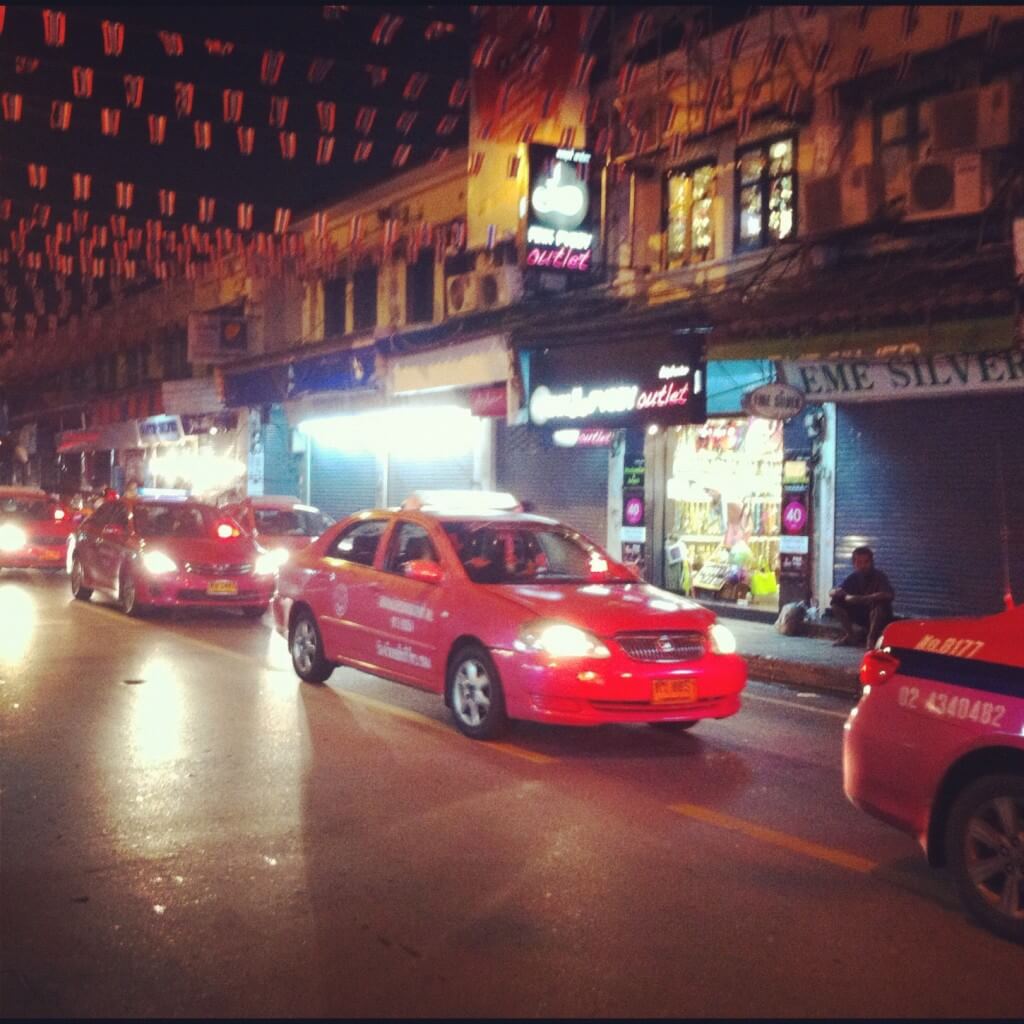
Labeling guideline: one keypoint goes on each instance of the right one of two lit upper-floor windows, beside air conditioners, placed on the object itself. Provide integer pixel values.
(766, 194)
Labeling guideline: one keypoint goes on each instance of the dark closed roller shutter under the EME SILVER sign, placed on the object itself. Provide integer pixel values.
(917, 483)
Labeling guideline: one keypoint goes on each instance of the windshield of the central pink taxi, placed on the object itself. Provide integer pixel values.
(519, 553)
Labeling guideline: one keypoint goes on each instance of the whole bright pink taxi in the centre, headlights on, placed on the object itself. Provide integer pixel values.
(508, 616)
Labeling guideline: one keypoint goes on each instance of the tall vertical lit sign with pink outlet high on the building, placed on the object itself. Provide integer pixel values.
(561, 224)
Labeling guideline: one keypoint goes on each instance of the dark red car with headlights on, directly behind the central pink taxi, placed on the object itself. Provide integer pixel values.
(166, 553)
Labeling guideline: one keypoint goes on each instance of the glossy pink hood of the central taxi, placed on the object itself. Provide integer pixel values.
(610, 609)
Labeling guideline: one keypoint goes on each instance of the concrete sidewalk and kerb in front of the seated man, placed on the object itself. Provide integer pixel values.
(806, 661)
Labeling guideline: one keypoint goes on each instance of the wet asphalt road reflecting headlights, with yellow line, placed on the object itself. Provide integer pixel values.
(188, 830)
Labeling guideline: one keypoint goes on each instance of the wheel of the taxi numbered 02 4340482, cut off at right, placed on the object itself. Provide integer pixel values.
(986, 852)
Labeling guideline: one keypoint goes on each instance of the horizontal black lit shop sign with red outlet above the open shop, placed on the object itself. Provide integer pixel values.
(618, 386)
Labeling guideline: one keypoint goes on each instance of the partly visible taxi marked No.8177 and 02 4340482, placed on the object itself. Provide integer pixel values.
(936, 748)
